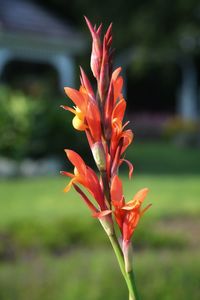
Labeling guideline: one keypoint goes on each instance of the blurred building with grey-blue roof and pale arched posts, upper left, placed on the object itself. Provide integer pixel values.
(30, 34)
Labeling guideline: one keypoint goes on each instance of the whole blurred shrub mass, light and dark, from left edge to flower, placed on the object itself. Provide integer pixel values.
(27, 125)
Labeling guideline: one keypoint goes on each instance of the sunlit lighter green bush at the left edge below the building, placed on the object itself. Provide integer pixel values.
(14, 122)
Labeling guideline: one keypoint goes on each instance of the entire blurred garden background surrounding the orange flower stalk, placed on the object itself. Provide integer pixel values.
(50, 246)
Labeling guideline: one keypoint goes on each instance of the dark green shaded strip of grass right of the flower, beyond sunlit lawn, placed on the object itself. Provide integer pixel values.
(164, 158)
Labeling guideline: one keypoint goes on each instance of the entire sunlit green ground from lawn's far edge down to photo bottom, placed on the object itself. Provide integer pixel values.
(50, 247)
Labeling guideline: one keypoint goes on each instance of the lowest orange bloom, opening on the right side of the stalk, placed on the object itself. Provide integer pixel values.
(127, 215)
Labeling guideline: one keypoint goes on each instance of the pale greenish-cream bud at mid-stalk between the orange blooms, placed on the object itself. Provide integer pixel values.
(99, 156)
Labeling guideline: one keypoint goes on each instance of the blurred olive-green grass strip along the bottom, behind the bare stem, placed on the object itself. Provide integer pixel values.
(93, 274)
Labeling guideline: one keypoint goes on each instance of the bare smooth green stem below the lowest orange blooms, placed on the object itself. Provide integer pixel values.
(129, 277)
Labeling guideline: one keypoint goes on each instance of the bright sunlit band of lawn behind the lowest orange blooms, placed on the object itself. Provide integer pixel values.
(42, 199)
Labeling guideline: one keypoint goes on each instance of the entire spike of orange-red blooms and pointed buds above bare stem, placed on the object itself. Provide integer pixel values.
(100, 114)
